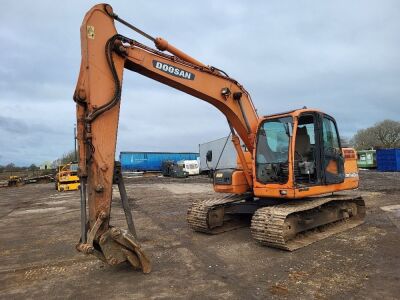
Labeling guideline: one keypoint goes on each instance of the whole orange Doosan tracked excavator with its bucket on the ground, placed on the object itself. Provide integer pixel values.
(293, 178)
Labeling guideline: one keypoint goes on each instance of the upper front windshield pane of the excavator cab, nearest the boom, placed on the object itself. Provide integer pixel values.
(273, 141)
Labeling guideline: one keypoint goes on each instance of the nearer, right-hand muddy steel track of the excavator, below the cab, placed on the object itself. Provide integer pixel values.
(272, 225)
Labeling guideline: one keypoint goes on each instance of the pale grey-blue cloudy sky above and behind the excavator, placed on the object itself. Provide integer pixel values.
(342, 57)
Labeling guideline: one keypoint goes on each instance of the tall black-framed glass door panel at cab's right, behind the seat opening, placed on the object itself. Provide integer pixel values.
(332, 157)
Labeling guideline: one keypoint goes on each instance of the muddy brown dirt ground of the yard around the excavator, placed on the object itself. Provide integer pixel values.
(39, 228)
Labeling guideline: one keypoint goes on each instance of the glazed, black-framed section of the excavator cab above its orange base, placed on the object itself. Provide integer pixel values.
(316, 154)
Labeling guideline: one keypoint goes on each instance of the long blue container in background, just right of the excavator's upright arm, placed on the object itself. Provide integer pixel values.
(151, 161)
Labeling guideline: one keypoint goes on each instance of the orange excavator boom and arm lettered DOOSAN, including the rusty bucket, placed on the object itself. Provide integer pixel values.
(105, 54)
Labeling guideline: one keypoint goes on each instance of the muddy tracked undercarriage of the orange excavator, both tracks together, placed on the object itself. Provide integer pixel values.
(288, 225)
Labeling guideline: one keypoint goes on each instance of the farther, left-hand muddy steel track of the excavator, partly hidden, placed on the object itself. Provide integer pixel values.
(209, 215)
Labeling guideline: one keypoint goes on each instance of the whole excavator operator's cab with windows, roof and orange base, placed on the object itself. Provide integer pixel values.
(298, 154)
